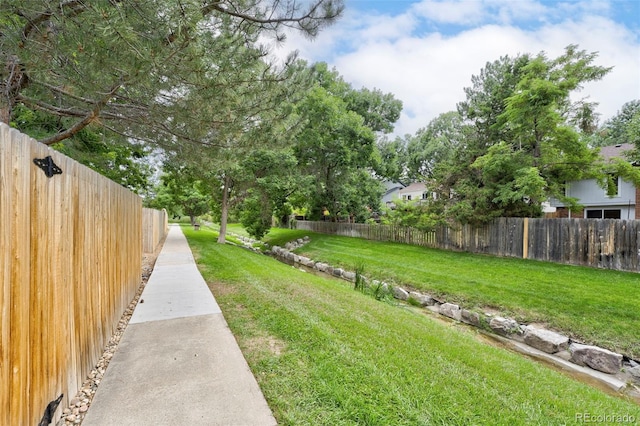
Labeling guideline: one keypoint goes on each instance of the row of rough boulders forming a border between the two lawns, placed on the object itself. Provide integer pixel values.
(546, 341)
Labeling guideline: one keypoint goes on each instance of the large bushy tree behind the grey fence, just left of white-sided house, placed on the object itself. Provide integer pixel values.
(518, 144)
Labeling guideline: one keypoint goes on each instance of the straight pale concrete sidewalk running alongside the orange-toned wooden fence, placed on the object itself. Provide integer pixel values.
(177, 362)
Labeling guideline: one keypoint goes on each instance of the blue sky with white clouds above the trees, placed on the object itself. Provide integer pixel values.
(426, 51)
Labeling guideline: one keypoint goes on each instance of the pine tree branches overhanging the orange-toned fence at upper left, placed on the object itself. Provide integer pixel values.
(115, 63)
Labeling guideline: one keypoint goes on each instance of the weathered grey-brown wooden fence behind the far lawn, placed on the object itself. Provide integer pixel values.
(602, 243)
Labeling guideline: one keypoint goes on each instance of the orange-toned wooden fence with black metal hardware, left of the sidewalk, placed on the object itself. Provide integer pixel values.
(70, 261)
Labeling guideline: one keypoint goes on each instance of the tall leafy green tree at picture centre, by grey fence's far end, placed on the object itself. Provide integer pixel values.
(337, 145)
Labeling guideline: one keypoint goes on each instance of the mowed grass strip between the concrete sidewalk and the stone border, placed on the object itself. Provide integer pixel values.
(325, 354)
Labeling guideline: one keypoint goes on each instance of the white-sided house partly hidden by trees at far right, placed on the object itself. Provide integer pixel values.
(597, 204)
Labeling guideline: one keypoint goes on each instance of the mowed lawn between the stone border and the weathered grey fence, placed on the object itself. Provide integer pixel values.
(596, 306)
